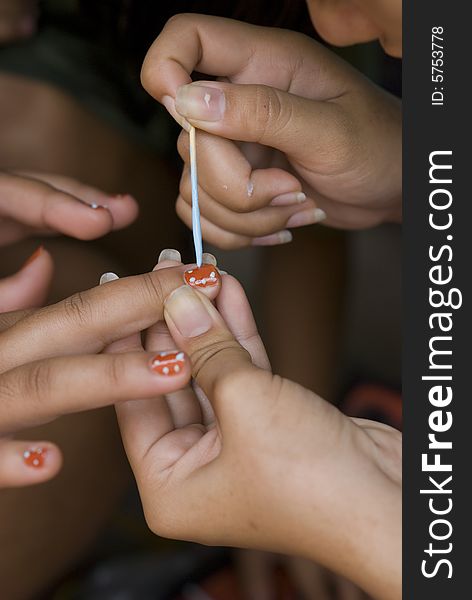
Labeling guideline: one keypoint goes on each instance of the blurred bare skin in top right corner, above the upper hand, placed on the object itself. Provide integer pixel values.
(348, 22)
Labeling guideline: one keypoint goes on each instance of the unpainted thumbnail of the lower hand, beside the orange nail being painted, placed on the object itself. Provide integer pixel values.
(187, 312)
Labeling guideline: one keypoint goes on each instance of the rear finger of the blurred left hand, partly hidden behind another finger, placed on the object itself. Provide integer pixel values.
(123, 207)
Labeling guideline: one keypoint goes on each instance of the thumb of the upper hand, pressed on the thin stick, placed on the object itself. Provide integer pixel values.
(292, 124)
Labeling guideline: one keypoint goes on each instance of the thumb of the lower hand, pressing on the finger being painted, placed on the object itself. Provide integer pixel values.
(199, 330)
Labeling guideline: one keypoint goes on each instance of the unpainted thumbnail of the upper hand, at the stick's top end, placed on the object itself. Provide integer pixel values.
(201, 103)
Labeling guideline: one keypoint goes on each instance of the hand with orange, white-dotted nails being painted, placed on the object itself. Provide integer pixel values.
(50, 366)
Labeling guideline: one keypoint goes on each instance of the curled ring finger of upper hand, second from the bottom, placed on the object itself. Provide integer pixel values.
(259, 222)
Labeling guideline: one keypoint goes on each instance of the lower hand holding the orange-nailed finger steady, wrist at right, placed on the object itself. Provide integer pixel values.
(265, 463)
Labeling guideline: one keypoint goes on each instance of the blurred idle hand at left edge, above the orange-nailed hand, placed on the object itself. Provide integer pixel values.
(43, 204)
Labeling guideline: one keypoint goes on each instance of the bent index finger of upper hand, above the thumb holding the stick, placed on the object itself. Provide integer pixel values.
(237, 51)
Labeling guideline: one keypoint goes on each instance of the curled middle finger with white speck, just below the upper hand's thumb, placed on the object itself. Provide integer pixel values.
(227, 175)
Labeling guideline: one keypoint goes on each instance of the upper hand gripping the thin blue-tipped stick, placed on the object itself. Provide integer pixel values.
(313, 124)
